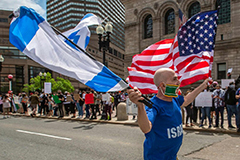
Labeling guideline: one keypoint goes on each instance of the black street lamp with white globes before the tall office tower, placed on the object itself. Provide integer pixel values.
(104, 39)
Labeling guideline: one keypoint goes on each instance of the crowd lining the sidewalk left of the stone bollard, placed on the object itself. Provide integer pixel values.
(86, 104)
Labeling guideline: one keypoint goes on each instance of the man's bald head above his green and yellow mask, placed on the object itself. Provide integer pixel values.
(162, 75)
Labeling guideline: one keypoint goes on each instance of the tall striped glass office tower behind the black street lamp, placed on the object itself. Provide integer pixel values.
(66, 14)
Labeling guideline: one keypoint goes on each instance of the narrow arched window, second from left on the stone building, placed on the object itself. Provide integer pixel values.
(170, 22)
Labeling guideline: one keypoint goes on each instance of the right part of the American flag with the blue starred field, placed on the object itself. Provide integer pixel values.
(193, 48)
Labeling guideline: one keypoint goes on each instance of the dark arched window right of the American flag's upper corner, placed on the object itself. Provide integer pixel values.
(224, 14)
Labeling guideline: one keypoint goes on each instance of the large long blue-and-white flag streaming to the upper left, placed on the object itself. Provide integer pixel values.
(32, 35)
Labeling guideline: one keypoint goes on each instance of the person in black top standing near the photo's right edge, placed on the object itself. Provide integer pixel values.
(231, 101)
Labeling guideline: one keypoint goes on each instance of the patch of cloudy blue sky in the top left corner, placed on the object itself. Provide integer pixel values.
(38, 5)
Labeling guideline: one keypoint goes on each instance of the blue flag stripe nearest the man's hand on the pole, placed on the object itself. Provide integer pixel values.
(104, 80)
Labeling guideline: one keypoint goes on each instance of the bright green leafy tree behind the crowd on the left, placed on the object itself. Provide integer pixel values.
(60, 84)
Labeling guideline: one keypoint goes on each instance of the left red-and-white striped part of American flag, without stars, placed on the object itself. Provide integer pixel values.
(145, 64)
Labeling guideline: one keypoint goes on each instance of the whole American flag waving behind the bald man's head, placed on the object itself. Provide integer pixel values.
(190, 54)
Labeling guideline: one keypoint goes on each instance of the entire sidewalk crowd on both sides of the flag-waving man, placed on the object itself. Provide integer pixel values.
(88, 104)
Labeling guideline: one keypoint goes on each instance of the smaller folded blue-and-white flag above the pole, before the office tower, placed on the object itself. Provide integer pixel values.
(80, 35)
